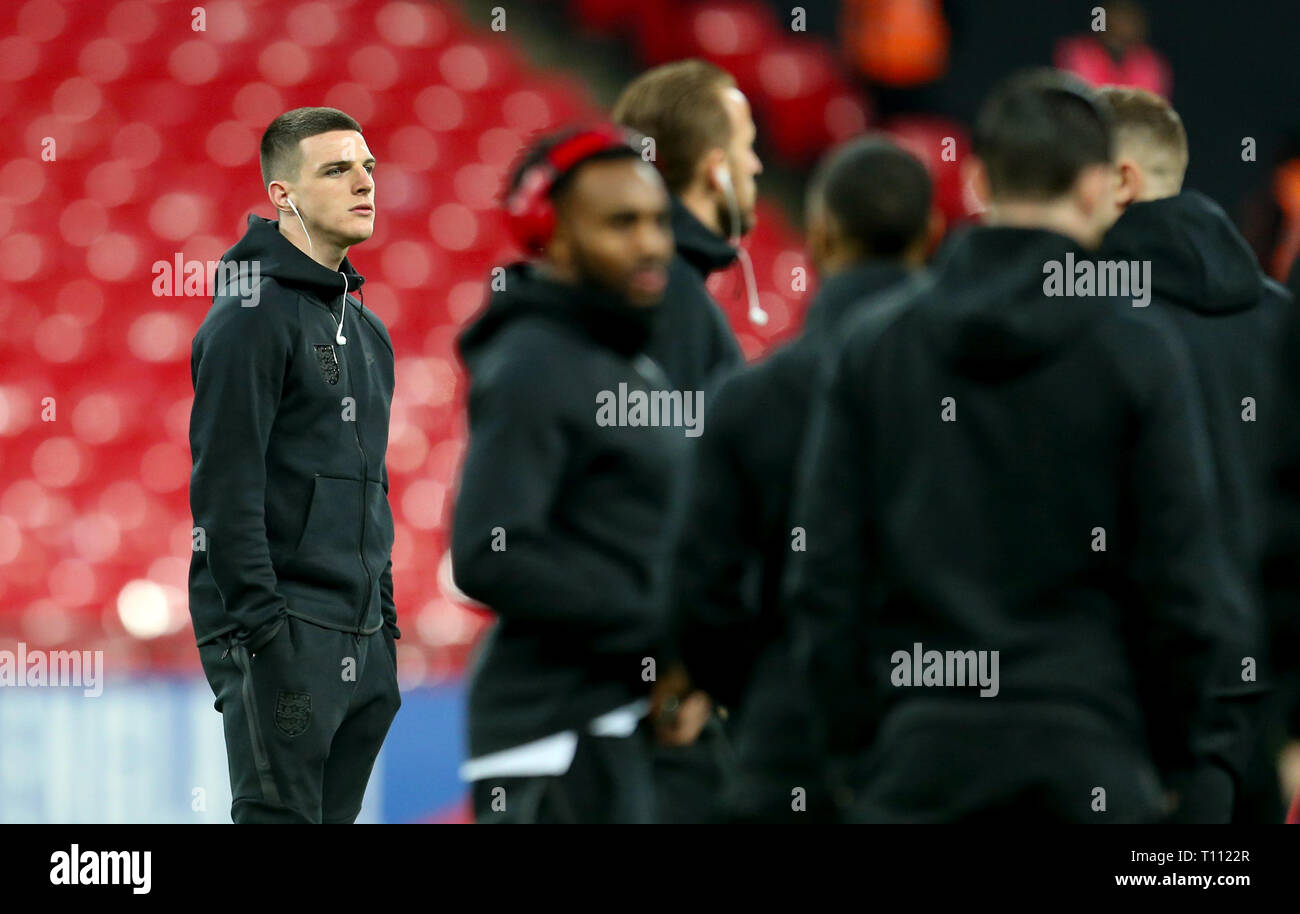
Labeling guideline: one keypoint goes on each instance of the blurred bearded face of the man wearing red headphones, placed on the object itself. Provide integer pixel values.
(614, 232)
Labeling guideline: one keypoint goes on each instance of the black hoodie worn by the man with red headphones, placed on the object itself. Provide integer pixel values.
(561, 523)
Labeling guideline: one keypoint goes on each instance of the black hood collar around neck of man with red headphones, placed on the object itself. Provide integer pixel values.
(597, 314)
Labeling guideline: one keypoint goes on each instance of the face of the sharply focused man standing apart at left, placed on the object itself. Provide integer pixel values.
(335, 190)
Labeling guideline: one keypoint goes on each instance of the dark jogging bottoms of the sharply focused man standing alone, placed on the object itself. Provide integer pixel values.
(305, 720)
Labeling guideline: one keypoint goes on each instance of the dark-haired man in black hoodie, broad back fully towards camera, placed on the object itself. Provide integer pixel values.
(1009, 605)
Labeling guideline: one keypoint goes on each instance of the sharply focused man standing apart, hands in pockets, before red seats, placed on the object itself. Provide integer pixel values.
(292, 579)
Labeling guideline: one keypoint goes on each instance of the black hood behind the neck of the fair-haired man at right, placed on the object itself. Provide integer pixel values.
(1198, 258)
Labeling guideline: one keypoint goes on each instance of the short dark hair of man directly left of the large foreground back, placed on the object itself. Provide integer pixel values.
(878, 193)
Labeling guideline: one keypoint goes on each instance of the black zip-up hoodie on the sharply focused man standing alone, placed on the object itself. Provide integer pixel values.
(289, 434)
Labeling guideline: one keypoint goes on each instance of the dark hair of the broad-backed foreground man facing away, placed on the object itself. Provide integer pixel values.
(1038, 131)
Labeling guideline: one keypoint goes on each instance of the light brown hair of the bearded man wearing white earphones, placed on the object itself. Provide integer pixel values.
(681, 106)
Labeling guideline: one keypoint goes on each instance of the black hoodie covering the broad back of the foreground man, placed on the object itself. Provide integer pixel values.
(981, 534)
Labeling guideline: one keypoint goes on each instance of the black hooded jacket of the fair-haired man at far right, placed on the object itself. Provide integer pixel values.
(1207, 279)
